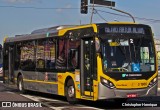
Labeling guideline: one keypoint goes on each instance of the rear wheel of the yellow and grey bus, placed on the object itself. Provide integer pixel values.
(20, 84)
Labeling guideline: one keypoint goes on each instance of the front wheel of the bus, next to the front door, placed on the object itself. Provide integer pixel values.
(71, 92)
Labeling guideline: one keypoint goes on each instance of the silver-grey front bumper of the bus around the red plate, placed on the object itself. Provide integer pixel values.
(107, 93)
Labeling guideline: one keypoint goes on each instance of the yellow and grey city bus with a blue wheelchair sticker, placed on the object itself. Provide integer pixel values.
(99, 61)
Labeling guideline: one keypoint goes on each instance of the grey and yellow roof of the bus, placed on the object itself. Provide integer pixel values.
(56, 31)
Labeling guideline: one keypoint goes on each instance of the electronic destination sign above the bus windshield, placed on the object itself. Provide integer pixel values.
(125, 30)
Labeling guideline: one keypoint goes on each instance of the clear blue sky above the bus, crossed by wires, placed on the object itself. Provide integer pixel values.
(24, 16)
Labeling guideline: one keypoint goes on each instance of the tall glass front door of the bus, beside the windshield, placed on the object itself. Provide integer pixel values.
(87, 66)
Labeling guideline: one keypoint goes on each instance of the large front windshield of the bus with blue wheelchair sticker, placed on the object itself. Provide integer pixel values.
(129, 54)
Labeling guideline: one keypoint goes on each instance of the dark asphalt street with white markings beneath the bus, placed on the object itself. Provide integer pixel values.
(53, 102)
